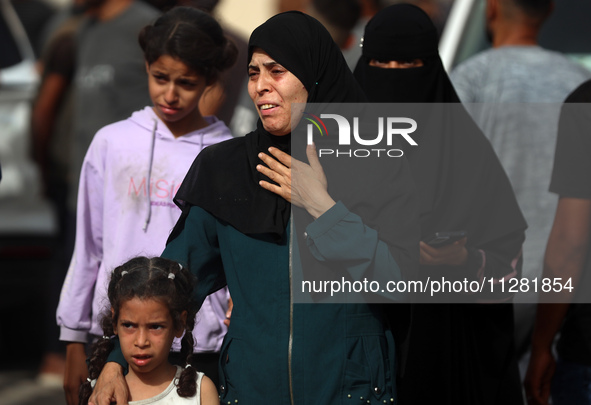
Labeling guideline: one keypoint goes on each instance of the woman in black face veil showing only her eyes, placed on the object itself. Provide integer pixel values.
(463, 353)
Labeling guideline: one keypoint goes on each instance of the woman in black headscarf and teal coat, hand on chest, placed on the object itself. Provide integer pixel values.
(236, 228)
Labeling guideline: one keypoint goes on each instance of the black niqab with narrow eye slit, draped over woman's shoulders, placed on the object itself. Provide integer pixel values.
(461, 183)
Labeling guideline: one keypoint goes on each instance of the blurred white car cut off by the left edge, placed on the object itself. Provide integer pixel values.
(23, 210)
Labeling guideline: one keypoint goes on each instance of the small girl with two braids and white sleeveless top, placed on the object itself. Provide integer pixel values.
(151, 304)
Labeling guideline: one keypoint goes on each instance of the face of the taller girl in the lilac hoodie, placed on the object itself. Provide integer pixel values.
(175, 91)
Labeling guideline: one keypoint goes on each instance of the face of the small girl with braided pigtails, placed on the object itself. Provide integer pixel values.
(146, 332)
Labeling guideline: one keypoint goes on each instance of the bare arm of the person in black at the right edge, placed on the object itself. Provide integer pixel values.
(565, 256)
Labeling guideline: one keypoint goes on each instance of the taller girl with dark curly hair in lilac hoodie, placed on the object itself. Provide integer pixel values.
(130, 174)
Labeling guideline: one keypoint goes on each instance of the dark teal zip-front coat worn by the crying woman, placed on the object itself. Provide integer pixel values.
(278, 351)
